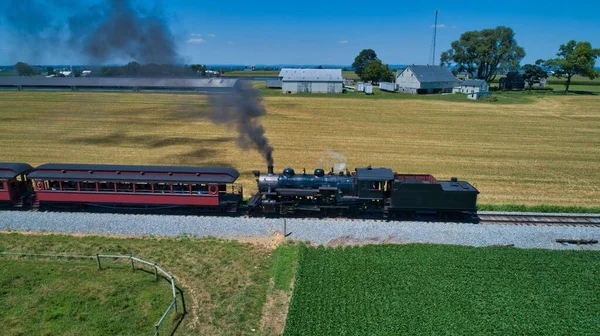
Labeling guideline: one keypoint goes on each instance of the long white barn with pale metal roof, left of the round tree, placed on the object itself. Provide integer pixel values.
(312, 80)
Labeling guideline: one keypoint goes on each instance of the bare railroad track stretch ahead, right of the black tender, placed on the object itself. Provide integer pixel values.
(541, 219)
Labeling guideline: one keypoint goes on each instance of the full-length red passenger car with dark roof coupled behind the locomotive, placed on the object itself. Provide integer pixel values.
(201, 188)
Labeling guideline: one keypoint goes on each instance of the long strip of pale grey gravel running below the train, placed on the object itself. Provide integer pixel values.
(317, 231)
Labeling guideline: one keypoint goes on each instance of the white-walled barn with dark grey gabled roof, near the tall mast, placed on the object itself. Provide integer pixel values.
(422, 79)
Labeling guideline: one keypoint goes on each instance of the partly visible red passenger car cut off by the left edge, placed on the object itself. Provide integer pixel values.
(14, 187)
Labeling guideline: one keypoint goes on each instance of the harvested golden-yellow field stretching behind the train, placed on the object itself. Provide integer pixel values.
(544, 152)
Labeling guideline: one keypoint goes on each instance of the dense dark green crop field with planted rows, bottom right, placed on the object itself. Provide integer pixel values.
(444, 290)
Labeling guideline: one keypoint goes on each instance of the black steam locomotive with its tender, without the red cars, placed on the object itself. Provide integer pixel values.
(366, 190)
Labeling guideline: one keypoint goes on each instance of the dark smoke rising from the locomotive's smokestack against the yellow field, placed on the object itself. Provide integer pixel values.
(242, 109)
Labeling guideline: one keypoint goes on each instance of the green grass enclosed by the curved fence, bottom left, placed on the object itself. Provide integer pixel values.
(57, 297)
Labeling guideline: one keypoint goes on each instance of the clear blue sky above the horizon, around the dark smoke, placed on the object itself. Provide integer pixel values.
(333, 32)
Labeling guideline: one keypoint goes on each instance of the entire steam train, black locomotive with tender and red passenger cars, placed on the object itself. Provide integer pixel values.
(365, 191)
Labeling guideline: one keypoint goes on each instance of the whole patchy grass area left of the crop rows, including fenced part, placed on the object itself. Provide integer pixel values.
(225, 285)
